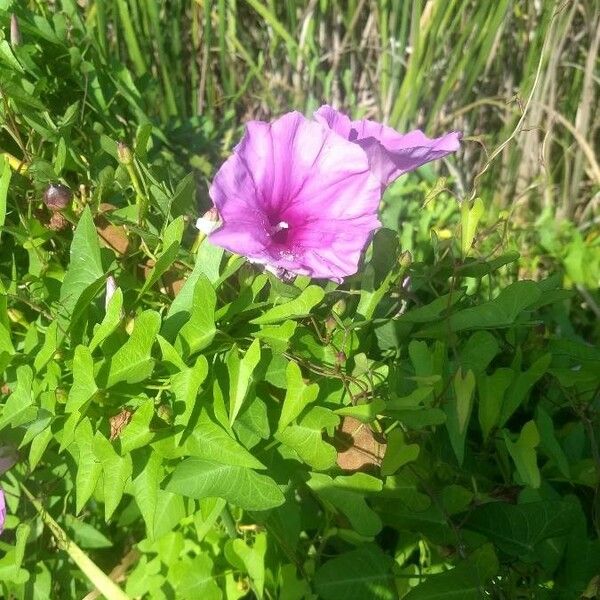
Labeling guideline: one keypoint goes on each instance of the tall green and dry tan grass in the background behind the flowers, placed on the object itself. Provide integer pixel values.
(523, 71)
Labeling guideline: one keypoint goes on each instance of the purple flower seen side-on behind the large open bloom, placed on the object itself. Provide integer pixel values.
(390, 153)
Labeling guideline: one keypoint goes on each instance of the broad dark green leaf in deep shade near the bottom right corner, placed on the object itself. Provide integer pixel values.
(517, 529)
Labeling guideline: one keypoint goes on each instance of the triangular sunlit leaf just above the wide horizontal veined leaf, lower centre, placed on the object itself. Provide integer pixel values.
(209, 440)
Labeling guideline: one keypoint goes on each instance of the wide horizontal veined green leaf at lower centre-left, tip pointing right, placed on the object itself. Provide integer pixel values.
(199, 478)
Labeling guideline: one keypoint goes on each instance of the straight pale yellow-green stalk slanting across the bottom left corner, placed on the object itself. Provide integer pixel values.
(97, 577)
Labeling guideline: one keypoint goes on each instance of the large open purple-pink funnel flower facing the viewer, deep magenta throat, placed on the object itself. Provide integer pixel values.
(297, 197)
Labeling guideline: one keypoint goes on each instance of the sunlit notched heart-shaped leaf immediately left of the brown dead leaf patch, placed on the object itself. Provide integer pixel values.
(307, 441)
